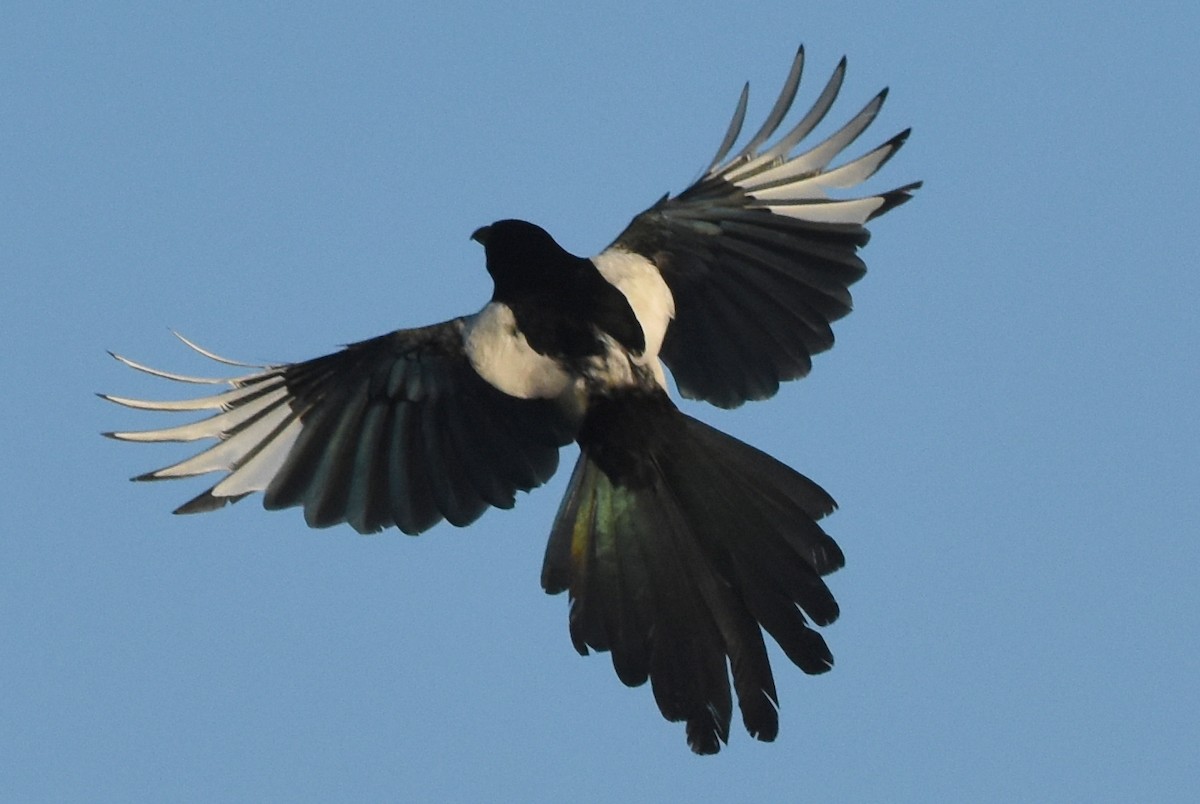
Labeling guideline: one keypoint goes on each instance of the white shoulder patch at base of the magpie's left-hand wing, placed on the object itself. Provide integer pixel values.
(500, 353)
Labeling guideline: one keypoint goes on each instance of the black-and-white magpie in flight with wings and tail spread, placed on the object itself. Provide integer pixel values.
(680, 545)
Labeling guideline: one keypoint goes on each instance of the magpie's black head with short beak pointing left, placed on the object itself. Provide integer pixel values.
(523, 257)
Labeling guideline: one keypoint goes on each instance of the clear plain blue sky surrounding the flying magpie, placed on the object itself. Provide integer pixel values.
(1009, 421)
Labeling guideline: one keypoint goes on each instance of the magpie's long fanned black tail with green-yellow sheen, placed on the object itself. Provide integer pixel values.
(677, 543)
